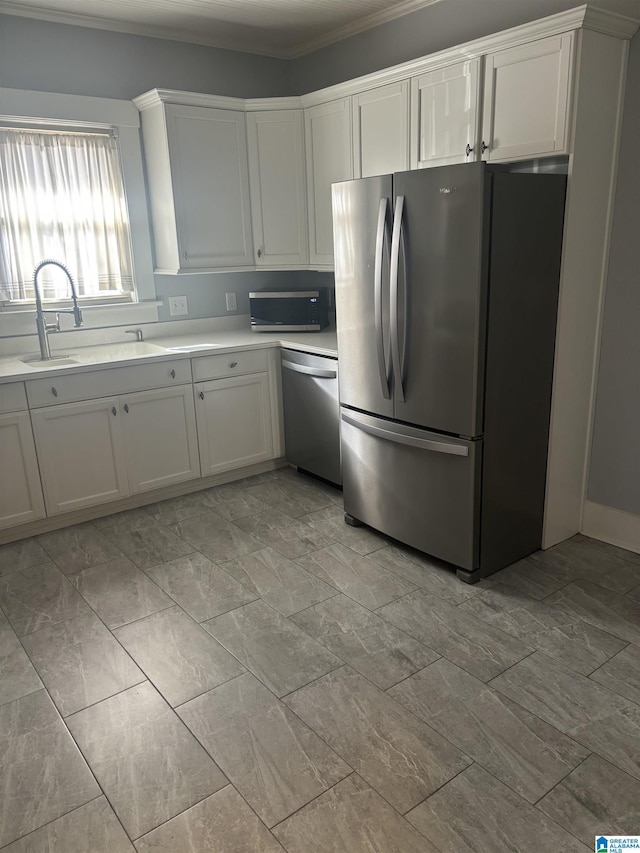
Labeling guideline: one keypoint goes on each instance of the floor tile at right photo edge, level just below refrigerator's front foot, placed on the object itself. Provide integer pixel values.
(613, 613)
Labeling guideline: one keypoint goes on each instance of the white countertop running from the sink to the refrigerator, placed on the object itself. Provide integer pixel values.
(14, 369)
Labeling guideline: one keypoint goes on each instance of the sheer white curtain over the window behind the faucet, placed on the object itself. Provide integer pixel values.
(62, 197)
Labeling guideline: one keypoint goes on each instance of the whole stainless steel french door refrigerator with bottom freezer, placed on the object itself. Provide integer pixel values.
(446, 299)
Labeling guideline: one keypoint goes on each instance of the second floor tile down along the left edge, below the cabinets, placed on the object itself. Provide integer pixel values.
(39, 596)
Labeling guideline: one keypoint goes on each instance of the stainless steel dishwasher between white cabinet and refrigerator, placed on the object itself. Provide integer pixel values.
(311, 413)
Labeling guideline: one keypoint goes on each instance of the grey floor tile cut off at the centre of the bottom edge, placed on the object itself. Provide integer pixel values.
(350, 818)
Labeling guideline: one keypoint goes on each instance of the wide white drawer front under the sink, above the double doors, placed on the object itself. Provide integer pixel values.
(106, 383)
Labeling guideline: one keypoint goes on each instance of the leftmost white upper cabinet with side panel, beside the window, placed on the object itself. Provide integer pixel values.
(196, 159)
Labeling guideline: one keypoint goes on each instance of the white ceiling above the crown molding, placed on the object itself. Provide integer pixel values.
(281, 28)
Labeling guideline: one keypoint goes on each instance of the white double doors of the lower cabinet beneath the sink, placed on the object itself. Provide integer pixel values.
(95, 452)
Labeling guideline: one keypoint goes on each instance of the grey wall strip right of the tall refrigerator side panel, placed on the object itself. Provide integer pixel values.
(614, 474)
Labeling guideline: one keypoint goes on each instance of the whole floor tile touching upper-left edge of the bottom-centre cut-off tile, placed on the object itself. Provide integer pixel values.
(271, 757)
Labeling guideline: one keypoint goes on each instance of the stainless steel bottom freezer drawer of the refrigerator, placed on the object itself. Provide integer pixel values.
(419, 487)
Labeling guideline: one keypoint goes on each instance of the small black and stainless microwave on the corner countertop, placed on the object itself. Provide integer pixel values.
(289, 310)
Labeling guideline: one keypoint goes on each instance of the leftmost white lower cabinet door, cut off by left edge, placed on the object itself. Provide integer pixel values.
(20, 490)
